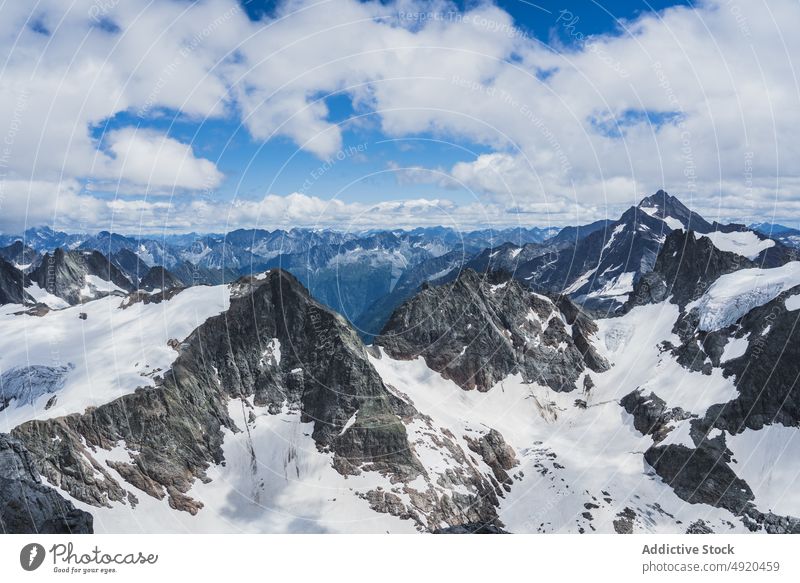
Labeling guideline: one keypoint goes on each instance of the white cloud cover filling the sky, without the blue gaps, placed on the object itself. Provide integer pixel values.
(706, 98)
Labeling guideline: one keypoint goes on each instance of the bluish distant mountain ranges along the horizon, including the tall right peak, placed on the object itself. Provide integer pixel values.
(366, 276)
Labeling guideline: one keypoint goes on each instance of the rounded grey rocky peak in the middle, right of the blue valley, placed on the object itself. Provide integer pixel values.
(478, 330)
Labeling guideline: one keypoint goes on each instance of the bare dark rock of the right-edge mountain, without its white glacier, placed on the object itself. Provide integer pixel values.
(765, 372)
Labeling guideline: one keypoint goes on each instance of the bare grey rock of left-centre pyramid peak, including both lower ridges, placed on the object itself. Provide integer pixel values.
(275, 349)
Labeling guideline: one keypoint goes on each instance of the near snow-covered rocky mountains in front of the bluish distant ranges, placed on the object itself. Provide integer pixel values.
(483, 406)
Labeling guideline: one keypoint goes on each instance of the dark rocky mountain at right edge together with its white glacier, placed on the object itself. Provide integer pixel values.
(739, 322)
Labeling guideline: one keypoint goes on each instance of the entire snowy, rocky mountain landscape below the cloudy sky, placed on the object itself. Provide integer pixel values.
(637, 375)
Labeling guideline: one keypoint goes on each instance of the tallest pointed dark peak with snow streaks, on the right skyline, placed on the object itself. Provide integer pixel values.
(598, 265)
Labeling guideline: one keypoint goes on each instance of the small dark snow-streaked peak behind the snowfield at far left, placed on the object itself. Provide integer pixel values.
(77, 276)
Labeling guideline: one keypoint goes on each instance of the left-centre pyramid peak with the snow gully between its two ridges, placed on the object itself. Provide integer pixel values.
(275, 359)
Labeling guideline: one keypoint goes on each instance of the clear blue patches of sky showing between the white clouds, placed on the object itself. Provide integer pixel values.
(256, 168)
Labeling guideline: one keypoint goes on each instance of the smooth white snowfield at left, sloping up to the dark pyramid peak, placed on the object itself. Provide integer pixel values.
(110, 353)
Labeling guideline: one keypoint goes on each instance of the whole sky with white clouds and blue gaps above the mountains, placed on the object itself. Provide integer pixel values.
(213, 114)
